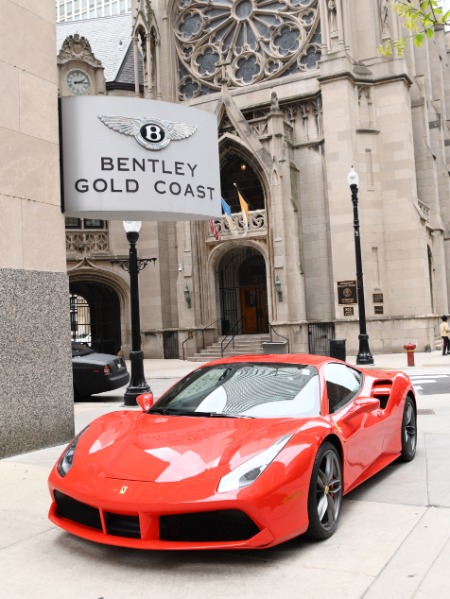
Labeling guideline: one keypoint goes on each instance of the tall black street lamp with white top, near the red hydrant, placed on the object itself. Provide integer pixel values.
(364, 356)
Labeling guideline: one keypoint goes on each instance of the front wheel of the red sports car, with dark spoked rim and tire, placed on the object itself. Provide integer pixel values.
(325, 493)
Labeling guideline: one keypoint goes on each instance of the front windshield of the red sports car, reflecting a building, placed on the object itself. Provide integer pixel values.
(257, 390)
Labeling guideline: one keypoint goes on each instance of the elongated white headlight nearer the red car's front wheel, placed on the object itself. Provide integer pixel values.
(249, 471)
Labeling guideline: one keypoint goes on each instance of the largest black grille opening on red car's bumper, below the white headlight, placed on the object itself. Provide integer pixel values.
(223, 525)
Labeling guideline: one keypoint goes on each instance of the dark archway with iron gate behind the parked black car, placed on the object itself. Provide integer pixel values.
(95, 314)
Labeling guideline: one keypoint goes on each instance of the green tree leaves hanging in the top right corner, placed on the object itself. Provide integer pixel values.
(420, 17)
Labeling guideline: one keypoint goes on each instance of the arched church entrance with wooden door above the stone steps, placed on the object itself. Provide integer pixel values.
(243, 292)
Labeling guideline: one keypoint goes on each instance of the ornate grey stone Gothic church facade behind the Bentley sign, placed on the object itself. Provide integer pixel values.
(301, 95)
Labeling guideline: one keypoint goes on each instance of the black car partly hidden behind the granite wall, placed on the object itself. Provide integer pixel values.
(94, 372)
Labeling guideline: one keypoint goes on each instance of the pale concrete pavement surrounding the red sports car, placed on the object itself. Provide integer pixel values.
(393, 540)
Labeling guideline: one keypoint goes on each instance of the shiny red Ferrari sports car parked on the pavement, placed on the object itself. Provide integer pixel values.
(243, 452)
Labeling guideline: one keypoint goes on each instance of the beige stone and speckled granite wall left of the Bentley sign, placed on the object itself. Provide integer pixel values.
(36, 399)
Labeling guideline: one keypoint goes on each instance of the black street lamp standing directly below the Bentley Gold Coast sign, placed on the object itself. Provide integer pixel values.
(138, 384)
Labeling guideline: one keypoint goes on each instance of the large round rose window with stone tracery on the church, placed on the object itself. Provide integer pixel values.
(244, 42)
